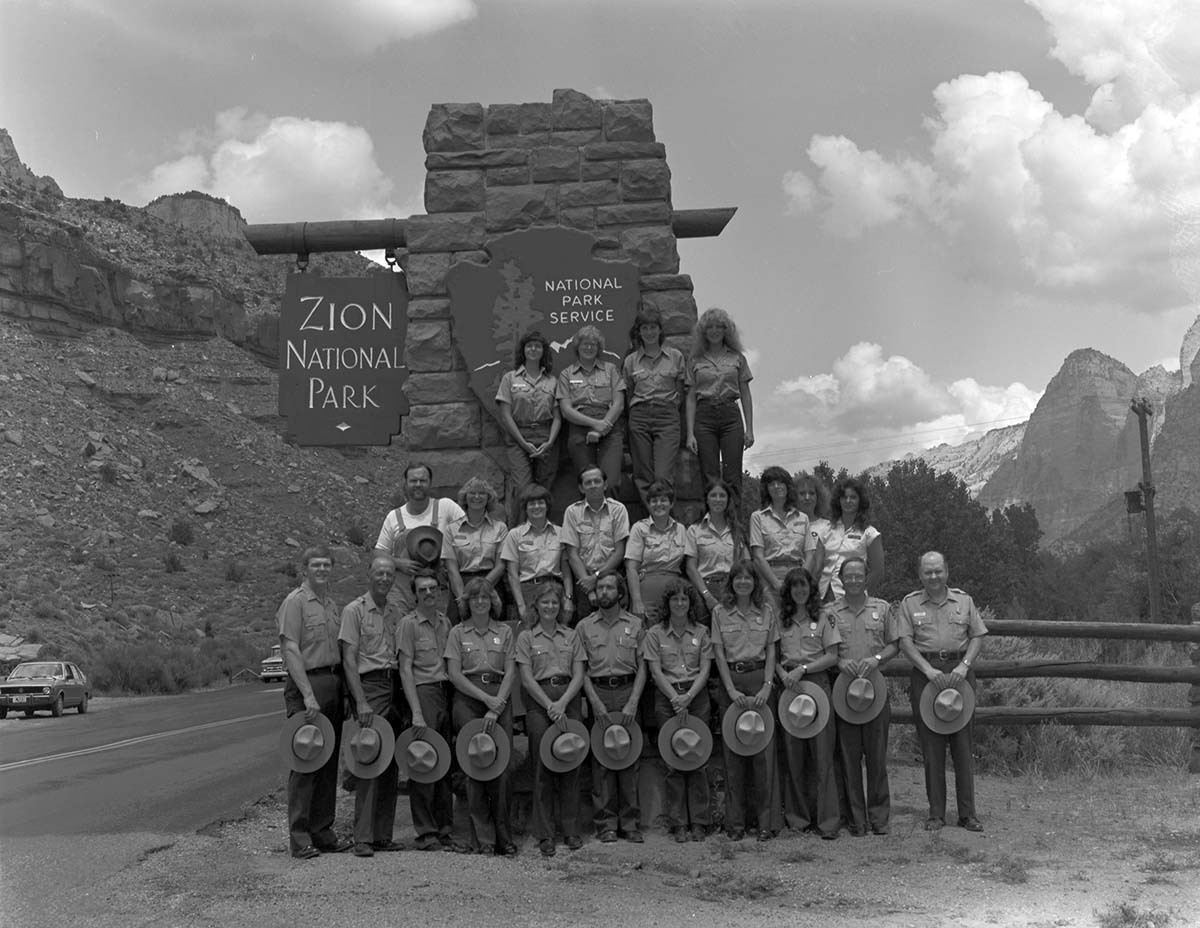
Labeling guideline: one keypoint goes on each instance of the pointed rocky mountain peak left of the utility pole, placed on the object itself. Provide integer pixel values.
(1077, 452)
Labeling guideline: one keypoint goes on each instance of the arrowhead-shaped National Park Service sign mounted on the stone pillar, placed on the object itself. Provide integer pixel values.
(545, 279)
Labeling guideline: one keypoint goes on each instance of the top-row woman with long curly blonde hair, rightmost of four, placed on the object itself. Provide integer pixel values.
(718, 378)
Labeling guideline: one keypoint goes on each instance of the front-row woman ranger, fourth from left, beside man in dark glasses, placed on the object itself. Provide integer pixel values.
(481, 664)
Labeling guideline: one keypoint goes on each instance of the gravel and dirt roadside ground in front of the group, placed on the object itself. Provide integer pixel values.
(1055, 853)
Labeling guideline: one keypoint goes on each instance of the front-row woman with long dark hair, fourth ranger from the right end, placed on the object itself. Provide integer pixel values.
(745, 636)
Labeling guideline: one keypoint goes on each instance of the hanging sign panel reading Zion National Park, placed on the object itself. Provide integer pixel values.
(343, 358)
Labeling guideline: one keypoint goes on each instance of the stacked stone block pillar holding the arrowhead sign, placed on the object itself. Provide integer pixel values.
(585, 164)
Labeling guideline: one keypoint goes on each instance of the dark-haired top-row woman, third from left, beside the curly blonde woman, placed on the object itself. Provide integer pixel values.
(655, 391)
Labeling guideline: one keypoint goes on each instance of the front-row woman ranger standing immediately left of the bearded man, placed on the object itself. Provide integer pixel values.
(551, 661)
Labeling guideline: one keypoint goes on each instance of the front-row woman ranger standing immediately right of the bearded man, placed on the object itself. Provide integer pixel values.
(680, 656)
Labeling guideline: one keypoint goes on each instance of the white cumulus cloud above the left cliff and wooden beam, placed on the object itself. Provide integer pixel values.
(281, 169)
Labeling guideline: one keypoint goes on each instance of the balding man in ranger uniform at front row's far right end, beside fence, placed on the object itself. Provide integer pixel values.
(941, 633)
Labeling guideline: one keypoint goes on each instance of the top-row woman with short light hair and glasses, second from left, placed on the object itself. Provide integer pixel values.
(592, 398)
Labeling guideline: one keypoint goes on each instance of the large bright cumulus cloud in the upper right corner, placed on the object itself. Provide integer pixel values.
(1101, 208)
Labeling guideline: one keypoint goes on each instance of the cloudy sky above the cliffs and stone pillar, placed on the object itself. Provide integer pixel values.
(938, 200)
